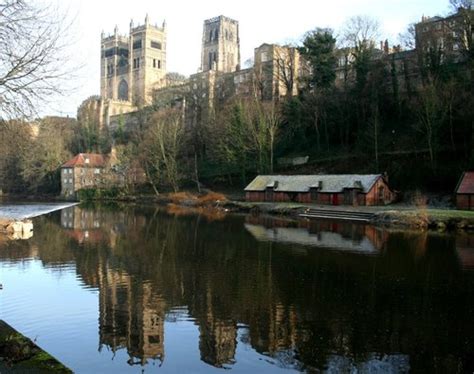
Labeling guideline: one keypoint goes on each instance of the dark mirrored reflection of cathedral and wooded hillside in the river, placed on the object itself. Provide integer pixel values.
(311, 295)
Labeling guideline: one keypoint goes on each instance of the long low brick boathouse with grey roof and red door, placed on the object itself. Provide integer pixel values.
(347, 189)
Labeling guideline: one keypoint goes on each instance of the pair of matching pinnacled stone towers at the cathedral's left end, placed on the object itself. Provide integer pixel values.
(134, 64)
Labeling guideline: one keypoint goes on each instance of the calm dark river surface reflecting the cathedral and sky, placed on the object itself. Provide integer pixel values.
(136, 290)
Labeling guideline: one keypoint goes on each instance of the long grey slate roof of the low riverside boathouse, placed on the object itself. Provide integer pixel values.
(302, 183)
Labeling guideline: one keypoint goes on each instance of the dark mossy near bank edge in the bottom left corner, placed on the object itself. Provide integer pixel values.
(18, 354)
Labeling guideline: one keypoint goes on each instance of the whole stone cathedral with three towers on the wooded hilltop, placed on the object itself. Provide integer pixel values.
(133, 72)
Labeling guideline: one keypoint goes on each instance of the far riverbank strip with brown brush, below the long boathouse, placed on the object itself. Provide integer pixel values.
(214, 204)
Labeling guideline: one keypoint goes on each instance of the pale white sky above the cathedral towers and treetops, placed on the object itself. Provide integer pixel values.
(261, 21)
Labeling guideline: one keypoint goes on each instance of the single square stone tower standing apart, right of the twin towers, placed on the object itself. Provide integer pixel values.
(220, 45)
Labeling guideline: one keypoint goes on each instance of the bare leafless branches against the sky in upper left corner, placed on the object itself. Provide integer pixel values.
(32, 57)
